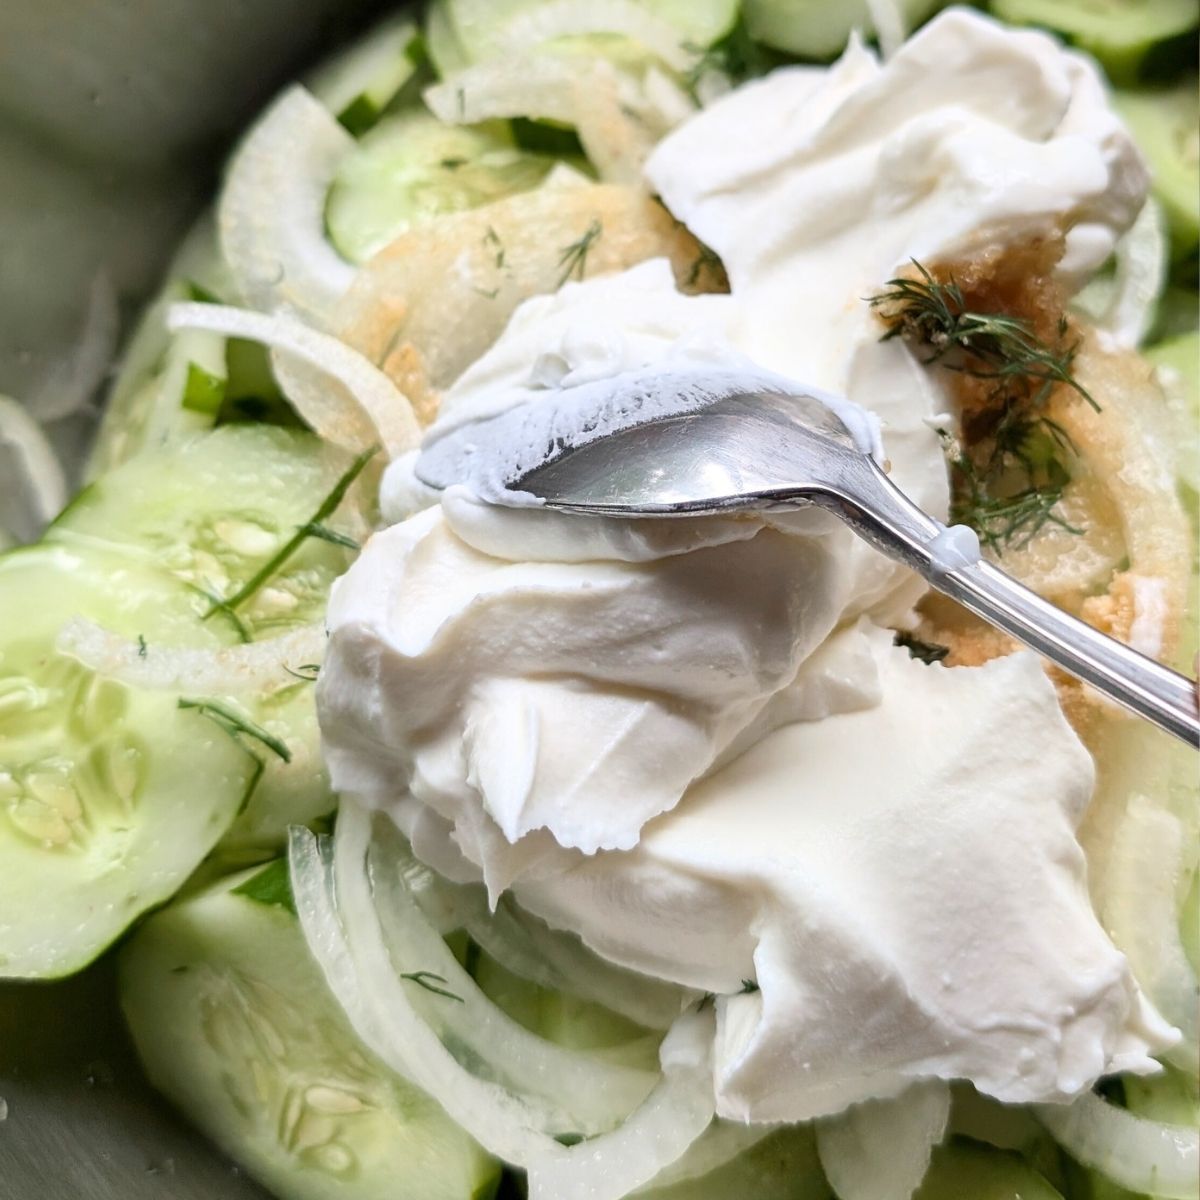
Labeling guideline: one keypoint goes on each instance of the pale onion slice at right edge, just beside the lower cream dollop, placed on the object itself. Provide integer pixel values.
(1142, 913)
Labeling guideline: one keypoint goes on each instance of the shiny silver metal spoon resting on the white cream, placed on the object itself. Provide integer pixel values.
(765, 452)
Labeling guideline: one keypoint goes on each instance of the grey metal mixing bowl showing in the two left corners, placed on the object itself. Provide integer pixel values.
(137, 103)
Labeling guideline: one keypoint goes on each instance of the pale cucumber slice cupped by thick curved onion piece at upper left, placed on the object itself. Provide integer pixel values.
(412, 167)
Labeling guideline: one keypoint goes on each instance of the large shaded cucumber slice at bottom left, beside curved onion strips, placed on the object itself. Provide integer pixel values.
(236, 1025)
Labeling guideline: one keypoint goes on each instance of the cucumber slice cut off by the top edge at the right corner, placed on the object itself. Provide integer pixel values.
(1119, 33)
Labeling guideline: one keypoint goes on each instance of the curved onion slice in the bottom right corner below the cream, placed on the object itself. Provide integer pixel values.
(1148, 1157)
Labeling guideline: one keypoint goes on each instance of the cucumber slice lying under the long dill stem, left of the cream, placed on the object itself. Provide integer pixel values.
(215, 509)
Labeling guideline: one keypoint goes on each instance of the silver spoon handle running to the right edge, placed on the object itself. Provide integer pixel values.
(881, 514)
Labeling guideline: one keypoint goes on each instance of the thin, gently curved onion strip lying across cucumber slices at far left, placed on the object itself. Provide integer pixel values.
(254, 667)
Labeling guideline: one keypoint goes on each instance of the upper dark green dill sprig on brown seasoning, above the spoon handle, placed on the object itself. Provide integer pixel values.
(994, 346)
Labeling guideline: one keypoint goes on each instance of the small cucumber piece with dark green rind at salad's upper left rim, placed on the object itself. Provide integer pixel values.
(359, 85)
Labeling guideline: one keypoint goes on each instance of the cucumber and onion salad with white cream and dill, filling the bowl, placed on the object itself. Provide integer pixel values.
(451, 848)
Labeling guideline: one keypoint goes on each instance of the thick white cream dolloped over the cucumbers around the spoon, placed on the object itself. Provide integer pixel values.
(677, 737)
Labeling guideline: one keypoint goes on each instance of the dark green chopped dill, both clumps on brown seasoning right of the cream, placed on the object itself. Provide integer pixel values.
(1010, 482)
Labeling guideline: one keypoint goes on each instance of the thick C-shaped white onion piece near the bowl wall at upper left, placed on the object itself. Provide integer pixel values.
(272, 214)
